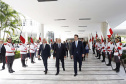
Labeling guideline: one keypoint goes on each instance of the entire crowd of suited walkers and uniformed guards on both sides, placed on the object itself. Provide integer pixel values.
(78, 50)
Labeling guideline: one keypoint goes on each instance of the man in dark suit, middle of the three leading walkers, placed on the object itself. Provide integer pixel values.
(60, 54)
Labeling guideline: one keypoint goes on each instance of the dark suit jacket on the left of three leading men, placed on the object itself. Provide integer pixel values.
(45, 53)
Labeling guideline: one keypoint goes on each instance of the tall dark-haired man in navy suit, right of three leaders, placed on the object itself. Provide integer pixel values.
(77, 53)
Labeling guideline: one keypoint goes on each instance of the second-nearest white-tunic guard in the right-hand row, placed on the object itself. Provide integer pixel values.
(110, 47)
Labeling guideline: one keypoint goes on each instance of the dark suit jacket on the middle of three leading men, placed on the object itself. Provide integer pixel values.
(60, 52)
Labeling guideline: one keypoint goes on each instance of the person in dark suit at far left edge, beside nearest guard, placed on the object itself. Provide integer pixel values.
(2, 53)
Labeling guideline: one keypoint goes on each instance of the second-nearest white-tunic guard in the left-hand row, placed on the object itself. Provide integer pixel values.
(23, 53)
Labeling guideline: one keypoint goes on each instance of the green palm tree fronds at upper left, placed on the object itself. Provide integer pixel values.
(9, 19)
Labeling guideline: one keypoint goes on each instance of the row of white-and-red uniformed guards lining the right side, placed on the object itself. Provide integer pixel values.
(110, 49)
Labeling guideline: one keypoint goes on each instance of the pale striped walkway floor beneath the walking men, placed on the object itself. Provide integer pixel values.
(93, 72)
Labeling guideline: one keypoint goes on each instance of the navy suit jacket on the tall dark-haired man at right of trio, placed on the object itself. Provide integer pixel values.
(79, 50)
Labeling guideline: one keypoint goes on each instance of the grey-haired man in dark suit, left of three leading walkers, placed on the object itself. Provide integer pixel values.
(44, 49)
